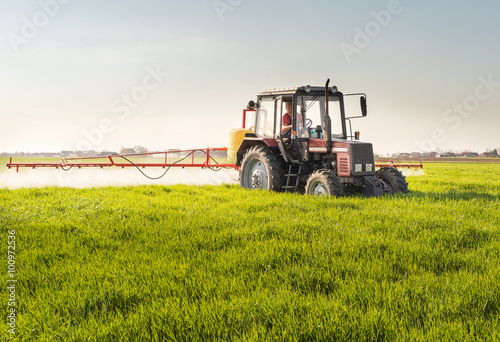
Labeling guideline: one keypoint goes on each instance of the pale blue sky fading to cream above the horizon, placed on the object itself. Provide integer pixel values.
(62, 86)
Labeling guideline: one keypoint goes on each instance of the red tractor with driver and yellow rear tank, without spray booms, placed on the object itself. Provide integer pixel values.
(300, 142)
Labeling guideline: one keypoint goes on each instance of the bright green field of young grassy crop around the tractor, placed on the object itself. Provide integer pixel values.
(220, 263)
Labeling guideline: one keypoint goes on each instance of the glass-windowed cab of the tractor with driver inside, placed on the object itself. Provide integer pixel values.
(298, 121)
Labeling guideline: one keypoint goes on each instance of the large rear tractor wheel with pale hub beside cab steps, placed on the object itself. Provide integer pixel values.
(261, 169)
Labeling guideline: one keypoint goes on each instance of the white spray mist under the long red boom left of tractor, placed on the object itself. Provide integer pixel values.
(85, 178)
